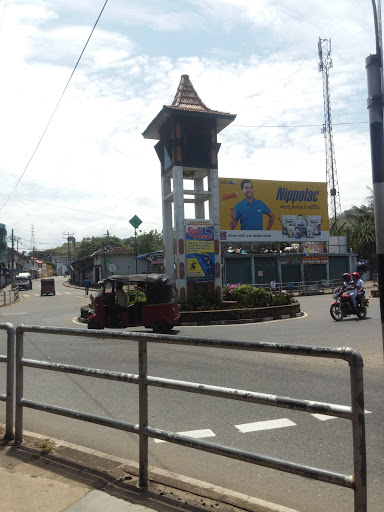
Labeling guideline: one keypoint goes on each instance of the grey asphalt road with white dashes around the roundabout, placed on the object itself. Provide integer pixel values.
(284, 434)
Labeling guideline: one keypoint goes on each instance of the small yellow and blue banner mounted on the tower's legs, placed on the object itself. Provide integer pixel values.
(200, 250)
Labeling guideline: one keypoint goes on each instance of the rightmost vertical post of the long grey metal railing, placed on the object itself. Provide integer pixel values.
(358, 433)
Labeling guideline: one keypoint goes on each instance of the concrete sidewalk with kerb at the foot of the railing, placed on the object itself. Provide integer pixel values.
(49, 475)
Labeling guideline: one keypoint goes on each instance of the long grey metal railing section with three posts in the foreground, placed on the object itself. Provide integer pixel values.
(354, 413)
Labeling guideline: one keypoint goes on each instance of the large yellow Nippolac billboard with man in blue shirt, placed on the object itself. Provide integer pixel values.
(273, 211)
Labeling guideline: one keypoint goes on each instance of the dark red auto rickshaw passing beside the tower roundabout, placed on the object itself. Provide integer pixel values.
(151, 301)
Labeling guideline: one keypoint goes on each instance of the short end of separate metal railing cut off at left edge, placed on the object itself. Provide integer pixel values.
(8, 396)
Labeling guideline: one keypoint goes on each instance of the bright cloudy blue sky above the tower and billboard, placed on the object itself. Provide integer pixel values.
(258, 59)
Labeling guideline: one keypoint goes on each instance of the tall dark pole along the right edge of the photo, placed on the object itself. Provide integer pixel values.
(374, 67)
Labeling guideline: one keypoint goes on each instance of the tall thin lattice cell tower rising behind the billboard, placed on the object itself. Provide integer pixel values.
(325, 64)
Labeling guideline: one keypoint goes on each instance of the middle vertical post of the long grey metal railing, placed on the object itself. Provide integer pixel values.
(143, 416)
